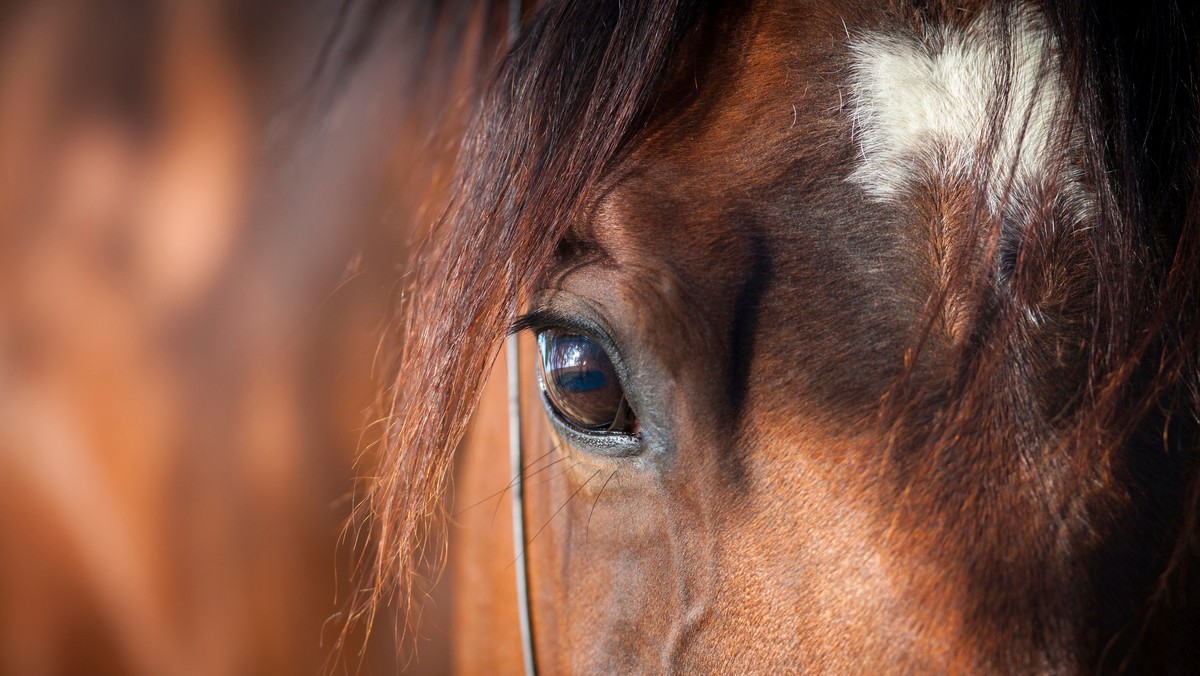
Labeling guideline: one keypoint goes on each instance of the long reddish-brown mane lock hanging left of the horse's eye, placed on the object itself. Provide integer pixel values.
(563, 103)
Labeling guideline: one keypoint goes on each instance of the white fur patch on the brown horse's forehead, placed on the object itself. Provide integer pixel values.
(927, 103)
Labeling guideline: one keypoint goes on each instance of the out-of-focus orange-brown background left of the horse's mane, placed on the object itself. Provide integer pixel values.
(206, 210)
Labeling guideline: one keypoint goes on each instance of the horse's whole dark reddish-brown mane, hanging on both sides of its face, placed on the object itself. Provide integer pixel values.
(580, 85)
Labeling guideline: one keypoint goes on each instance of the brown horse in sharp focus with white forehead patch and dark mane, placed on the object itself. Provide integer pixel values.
(847, 337)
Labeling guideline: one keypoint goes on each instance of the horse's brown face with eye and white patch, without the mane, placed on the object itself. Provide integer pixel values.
(760, 303)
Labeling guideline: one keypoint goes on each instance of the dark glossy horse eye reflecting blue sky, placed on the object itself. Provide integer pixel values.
(581, 384)
